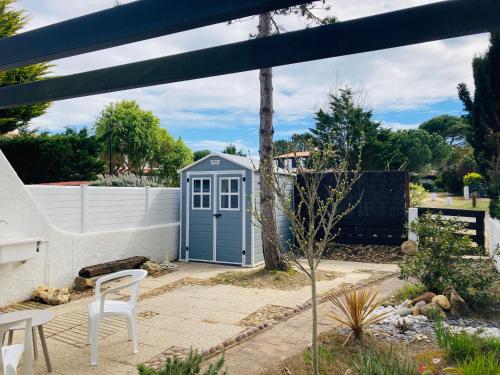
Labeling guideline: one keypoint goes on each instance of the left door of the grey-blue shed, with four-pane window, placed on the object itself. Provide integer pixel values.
(201, 229)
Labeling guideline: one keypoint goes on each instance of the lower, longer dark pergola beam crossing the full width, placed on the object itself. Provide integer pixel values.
(426, 23)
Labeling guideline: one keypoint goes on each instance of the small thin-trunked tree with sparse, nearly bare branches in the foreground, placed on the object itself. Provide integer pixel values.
(322, 183)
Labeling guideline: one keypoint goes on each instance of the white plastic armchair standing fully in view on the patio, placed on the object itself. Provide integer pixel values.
(101, 307)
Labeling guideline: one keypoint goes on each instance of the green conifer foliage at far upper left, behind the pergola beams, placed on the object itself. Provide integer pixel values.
(11, 22)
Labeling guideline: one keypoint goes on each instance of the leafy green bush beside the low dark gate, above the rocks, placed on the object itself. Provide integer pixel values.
(440, 265)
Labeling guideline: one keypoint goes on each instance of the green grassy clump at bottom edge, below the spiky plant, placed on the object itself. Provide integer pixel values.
(370, 362)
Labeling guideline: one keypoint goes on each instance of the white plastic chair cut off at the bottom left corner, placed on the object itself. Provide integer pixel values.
(10, 355)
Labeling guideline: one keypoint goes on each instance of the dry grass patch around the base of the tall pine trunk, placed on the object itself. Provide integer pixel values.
(262, 278)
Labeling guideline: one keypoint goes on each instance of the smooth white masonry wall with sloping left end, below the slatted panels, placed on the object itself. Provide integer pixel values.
(63, 253)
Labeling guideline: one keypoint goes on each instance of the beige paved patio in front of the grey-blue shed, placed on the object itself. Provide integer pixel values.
(177, 310)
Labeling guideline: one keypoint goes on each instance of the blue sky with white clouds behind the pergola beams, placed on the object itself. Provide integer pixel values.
(403, 86)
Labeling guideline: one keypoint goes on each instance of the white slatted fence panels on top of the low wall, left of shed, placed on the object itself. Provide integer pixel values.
(95, 209)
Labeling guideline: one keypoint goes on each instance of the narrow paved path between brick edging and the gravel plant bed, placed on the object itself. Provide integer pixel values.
(285, 339)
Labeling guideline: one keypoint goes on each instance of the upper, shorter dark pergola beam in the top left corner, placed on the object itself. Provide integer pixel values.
(124, 24)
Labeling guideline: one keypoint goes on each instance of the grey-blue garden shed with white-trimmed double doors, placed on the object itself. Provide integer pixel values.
(218, 195)
